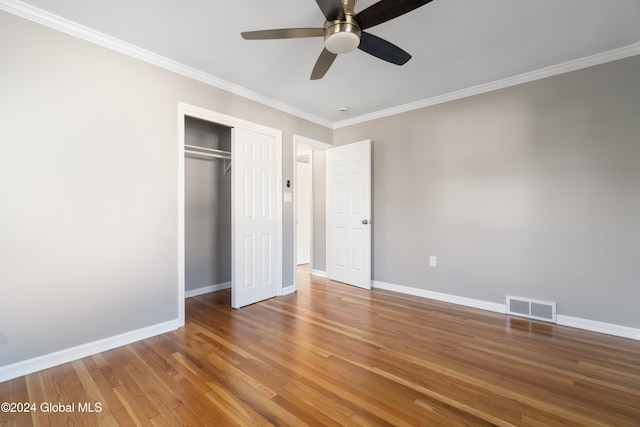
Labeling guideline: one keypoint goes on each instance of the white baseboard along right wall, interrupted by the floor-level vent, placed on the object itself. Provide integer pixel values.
(574, 322)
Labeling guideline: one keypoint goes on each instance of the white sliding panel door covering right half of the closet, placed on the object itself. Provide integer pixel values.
(256, 270)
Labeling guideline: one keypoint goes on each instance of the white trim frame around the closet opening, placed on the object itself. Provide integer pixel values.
(187, 110)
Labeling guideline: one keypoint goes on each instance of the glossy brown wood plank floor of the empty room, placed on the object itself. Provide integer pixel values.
(332, 354)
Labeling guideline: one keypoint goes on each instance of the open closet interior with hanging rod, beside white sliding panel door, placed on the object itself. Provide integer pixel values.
(207, 148)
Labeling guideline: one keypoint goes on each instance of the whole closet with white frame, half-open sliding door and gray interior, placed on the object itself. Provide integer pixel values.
(229, 209)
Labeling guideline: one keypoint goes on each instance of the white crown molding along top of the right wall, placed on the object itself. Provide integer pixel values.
(554, 70)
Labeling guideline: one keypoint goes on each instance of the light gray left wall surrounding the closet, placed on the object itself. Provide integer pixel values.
(88, 188)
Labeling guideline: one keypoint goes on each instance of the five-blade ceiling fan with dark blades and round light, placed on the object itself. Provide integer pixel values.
(343, 31)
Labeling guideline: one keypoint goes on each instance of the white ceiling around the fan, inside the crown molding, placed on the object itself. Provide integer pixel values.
(456, 44)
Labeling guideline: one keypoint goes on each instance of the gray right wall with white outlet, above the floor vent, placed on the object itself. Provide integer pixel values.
(532, 190)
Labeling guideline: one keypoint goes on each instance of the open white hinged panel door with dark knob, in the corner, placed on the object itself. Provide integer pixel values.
(349, 214)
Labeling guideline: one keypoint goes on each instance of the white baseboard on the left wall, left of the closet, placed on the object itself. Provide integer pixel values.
(36, 364)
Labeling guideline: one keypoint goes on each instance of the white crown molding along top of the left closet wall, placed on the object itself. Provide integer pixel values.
(64, 25)
